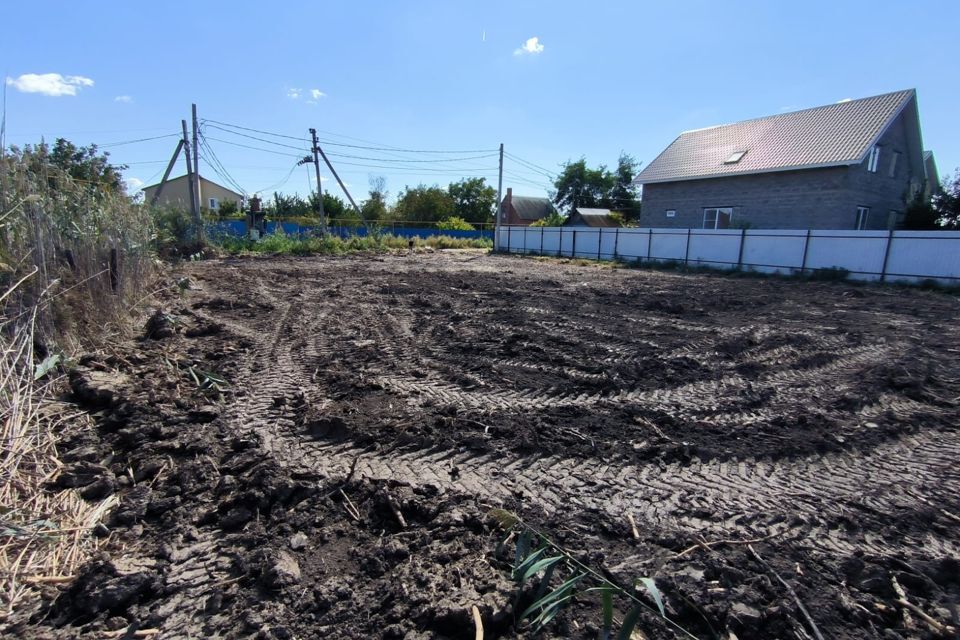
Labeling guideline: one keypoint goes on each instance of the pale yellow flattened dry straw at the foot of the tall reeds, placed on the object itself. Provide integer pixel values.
(44, 534)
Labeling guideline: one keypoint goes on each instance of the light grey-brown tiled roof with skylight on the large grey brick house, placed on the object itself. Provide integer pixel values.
(834, 134)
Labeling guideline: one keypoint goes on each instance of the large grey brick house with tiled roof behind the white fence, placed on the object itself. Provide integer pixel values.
(850, 165)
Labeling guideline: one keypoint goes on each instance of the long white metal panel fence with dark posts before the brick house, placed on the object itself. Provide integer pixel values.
(892, 256)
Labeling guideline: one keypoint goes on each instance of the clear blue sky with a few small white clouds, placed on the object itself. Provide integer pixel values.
(426, 91)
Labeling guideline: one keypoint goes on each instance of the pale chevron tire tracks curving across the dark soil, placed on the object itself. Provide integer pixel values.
(813, 502)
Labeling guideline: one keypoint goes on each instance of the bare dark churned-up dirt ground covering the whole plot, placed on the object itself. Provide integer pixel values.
(818, 420)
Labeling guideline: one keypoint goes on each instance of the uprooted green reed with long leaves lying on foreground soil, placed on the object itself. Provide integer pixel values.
(537, 557)
